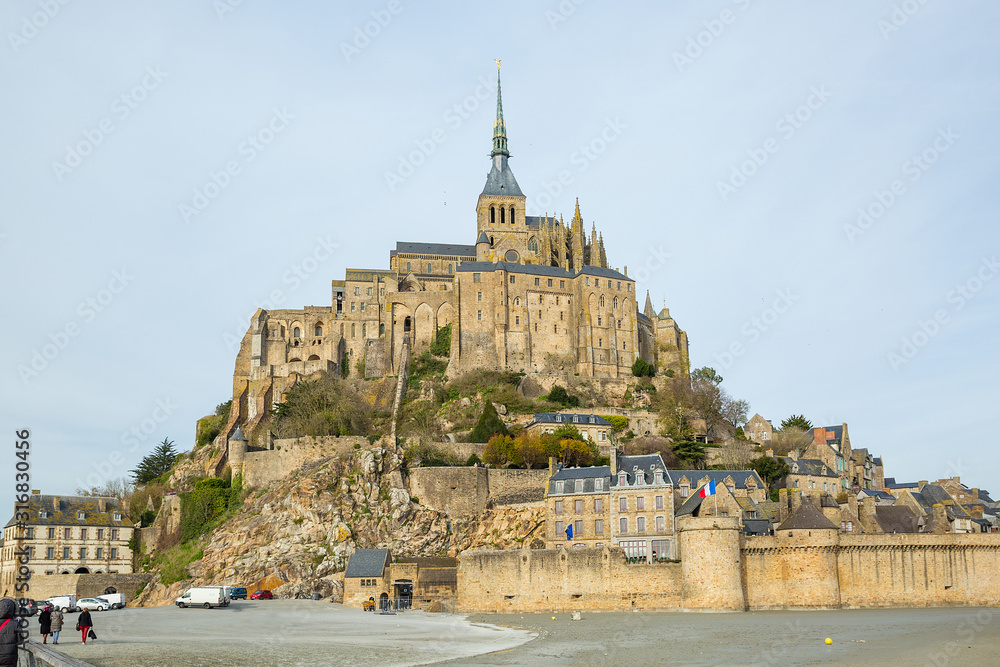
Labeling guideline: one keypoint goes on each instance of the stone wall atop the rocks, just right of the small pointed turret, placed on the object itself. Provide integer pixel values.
(261, 468)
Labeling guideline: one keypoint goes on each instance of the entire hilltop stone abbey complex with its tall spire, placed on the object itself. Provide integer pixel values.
(532, 294)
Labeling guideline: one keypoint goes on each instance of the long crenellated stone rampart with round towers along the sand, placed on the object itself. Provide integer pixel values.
(721, 570)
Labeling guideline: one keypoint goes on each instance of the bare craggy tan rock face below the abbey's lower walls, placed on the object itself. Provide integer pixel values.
(297, 536)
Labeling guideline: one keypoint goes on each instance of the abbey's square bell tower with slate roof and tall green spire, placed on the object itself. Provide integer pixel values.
(501, 207)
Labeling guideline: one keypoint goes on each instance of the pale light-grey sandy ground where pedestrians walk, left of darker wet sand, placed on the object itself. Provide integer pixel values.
(281, 633)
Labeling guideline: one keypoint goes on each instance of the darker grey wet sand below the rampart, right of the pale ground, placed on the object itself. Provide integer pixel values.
(969, 637)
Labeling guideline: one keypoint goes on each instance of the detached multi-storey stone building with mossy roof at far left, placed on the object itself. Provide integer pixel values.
(67, 535)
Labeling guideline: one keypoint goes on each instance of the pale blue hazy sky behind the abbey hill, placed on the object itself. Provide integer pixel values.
(811, 188)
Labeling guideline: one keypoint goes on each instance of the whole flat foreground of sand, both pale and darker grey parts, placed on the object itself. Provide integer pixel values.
(303, 632)
